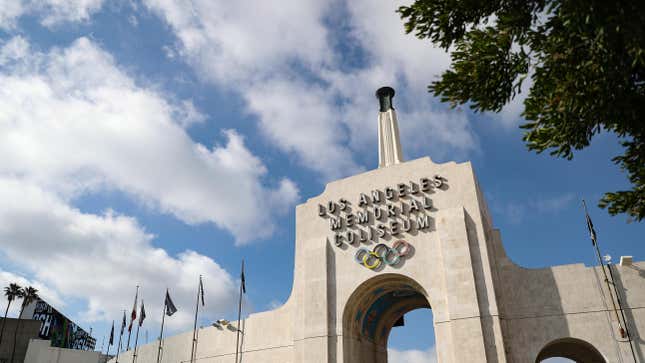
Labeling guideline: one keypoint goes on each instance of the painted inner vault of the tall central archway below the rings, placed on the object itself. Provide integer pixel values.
(371, 312)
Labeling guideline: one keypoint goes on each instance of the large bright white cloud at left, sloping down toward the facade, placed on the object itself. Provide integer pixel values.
(73, 122)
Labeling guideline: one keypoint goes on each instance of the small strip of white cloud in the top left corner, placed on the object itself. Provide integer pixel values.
(50, 12)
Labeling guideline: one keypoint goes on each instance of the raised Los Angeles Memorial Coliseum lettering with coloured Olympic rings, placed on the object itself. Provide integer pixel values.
(382, 215)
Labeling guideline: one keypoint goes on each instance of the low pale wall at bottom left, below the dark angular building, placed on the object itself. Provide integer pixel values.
(39, 351)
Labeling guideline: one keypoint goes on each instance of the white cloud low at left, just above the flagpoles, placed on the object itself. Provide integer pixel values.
(94, 257)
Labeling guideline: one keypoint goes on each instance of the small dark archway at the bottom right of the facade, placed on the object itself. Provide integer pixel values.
(571, 348)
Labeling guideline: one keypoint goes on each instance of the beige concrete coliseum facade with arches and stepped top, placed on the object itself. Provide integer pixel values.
(485, 307)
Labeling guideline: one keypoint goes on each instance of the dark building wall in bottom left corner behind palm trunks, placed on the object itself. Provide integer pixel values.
(27, 330)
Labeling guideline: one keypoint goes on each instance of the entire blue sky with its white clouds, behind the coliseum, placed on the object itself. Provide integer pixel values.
(147, 142)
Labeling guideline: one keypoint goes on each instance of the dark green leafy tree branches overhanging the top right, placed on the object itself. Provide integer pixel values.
(586, 60)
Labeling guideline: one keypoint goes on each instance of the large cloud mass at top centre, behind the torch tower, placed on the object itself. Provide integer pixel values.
(287, 62)
